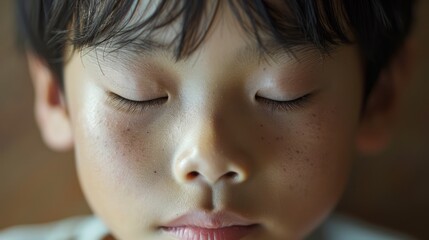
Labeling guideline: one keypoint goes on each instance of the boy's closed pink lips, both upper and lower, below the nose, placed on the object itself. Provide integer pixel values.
(209, 226)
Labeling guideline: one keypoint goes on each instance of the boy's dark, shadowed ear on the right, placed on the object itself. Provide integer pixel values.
(379, 115)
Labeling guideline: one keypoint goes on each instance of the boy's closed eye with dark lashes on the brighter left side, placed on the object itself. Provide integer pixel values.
(132, 106)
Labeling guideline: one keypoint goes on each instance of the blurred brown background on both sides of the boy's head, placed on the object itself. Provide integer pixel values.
(38, 185)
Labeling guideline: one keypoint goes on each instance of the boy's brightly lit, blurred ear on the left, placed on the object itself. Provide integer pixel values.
(50, 108)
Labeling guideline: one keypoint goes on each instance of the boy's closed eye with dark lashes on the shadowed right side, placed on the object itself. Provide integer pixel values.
(290, 105)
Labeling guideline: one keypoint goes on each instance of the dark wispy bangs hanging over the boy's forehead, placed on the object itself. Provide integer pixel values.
(290, 24)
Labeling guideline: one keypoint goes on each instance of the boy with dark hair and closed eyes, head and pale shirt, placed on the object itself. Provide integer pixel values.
(214, 119)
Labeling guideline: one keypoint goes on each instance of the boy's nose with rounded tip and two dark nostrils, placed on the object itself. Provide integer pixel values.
(208, 154)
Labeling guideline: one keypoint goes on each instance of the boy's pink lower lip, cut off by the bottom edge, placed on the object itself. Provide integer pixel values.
(197, 233)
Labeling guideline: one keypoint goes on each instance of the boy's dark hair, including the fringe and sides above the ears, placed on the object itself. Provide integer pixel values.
(379, 27)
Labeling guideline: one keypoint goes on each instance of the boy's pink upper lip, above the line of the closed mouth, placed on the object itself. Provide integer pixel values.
(208, 220)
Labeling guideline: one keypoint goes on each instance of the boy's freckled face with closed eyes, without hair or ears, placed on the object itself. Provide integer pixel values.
(214, 150)
